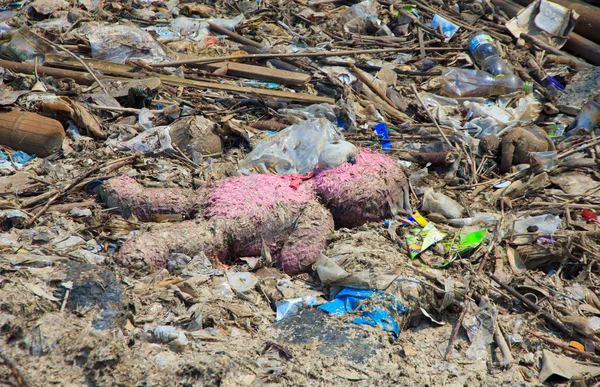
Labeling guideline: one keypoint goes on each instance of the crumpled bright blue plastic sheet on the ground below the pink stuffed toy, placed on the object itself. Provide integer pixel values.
(381, 310)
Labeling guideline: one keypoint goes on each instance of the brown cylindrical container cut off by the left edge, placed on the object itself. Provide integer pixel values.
(31, 133)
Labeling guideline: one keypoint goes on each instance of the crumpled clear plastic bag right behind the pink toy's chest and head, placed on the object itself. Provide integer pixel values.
(293, 150)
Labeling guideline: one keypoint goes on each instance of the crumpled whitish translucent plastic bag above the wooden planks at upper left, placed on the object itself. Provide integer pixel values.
(121, 43)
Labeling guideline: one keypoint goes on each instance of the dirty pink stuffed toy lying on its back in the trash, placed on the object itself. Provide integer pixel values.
(232, 218)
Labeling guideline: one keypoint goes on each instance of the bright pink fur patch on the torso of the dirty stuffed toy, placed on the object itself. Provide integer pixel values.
(255, 196)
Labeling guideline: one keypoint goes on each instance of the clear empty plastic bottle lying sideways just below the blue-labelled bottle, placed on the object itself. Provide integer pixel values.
(460, 83)
